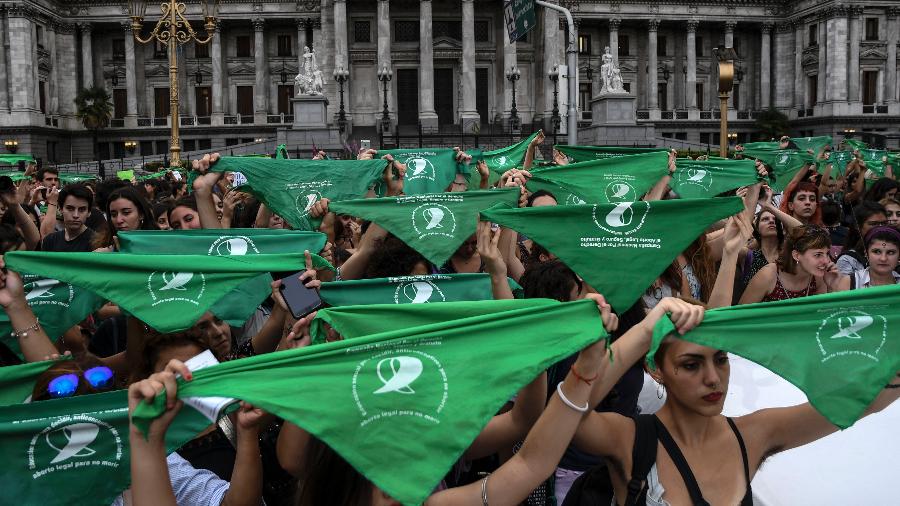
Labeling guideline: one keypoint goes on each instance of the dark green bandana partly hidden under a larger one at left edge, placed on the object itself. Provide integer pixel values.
(56, 304)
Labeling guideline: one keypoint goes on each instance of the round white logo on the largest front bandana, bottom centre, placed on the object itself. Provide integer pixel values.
(400, 382)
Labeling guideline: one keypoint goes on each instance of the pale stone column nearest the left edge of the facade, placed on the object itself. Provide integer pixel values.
(21, 61)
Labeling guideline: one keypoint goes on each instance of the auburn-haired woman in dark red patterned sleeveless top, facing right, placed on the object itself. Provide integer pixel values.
(803, 268)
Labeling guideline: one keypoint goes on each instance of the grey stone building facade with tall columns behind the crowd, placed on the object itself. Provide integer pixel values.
(830, 65)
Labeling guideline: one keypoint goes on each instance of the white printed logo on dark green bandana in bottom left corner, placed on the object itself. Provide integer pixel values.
(74, 442)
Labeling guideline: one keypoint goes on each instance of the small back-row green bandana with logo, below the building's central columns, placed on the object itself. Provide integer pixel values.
(428, 170)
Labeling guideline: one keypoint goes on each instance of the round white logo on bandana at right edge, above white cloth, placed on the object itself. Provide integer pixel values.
(851, 332)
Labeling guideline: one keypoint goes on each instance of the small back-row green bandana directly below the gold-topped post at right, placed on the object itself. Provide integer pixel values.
(699, 179)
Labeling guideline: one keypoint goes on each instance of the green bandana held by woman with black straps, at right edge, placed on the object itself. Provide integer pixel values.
(839, 348)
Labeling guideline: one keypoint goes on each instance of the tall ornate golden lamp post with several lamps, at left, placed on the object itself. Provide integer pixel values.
(172, 29)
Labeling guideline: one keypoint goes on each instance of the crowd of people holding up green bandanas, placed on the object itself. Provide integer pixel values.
(575, 427)
